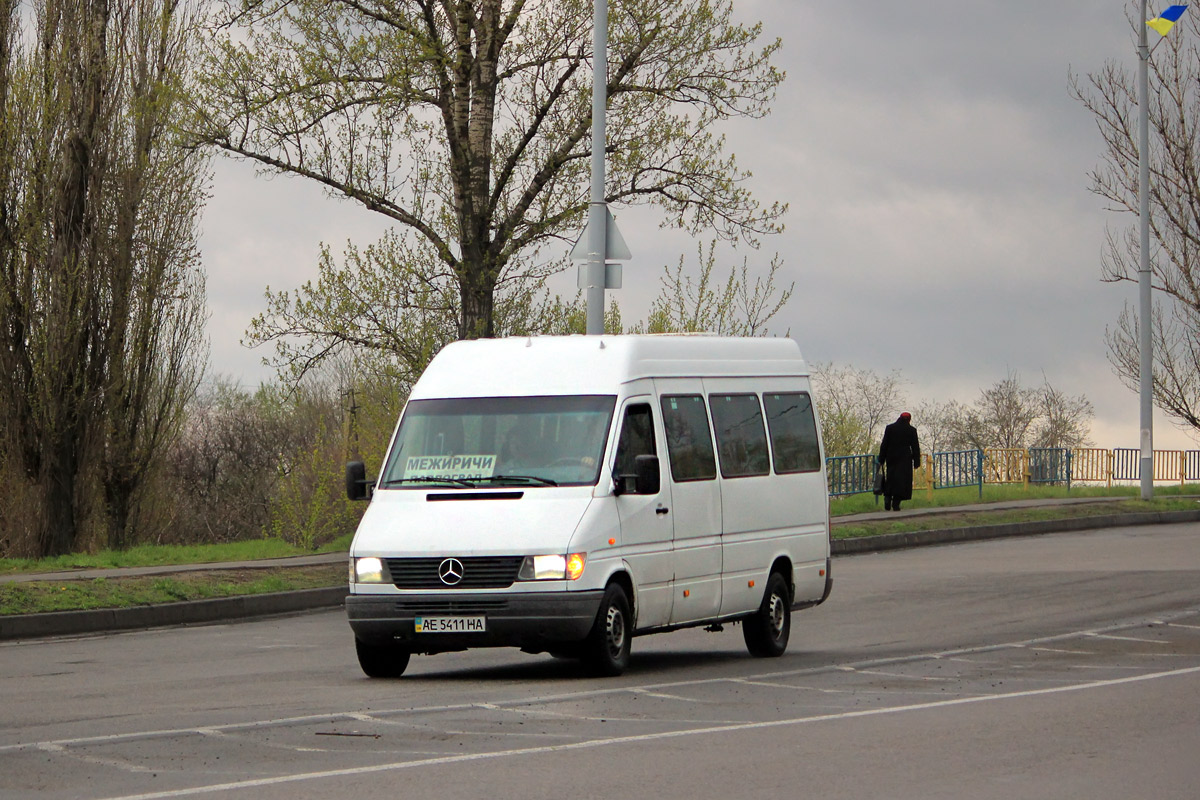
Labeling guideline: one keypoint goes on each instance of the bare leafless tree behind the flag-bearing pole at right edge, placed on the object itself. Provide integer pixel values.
(1174, 115)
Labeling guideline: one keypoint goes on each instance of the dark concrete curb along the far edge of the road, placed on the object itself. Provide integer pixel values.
(105, 621)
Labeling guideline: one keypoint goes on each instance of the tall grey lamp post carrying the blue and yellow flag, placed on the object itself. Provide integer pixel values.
(1144, 300)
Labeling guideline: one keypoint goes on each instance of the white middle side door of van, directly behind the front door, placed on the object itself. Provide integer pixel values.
(689, 467)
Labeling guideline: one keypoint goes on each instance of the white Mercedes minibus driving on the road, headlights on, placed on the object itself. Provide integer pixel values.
(565, 495)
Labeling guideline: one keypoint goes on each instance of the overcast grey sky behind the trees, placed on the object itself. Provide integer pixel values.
(940, 222)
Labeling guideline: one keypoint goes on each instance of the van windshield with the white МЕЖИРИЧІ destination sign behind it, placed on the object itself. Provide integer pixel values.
(526, 442)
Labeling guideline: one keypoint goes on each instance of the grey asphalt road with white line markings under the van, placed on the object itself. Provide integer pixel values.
(1035, 667)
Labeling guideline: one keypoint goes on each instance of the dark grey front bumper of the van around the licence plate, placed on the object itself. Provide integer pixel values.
(532, 622)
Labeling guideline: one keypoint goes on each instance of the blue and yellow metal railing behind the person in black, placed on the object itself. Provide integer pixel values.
(1058, 466)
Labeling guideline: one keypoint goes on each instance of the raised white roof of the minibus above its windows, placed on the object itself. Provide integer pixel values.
(598, 365)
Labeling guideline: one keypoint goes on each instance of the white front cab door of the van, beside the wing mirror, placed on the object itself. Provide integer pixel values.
(645, 519)
